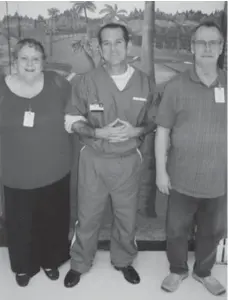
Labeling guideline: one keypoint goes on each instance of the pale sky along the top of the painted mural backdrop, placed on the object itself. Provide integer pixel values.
(34, 8)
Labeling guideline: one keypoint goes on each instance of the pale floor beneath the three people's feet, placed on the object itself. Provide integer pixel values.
(105, 283)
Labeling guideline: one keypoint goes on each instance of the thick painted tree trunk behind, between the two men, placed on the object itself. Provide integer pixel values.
(148, 185)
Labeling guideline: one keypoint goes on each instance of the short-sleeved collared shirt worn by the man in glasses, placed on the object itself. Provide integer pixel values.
(197, 157)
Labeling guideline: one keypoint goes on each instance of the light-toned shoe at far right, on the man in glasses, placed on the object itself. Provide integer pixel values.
(211, 284)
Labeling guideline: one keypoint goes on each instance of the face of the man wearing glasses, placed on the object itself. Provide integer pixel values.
(207, 45)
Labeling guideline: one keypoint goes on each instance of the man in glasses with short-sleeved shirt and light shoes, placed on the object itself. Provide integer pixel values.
(190, 151)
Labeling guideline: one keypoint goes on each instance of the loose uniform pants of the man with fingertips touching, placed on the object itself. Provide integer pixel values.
(99, 178)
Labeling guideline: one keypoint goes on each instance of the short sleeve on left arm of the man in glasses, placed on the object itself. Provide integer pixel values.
(166, 112)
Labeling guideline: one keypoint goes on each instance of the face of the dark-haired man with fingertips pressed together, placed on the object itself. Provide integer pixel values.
(113, 46)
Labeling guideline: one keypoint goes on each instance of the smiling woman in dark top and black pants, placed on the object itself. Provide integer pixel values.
(36, 160)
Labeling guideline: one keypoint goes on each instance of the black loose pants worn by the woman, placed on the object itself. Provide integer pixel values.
(37, 225)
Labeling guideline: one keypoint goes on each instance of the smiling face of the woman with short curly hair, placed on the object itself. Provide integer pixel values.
(29, 63)
